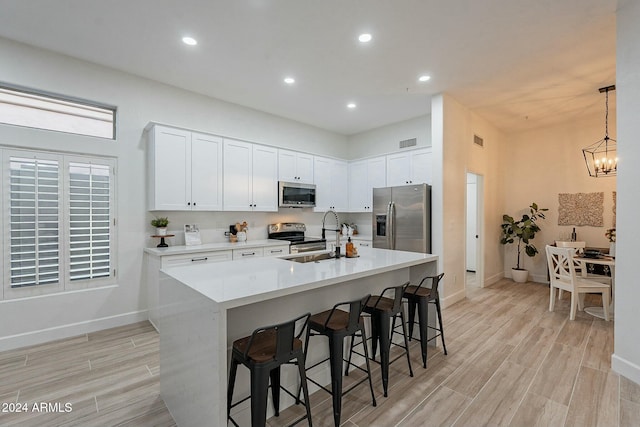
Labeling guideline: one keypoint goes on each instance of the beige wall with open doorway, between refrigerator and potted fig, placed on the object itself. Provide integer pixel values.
(455, 154)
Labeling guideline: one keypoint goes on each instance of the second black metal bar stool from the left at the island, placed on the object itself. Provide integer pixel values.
(336, 325)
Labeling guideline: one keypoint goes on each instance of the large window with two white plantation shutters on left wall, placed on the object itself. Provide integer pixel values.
(59, 211)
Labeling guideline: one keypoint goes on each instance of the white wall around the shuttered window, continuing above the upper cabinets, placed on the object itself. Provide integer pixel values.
(139, 101)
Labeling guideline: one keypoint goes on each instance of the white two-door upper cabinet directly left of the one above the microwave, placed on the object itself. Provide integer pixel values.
(250, 177)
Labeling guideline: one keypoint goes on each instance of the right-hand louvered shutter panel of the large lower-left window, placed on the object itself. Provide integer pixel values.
(90, 212)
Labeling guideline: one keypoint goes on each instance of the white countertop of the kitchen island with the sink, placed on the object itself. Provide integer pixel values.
(242, 282)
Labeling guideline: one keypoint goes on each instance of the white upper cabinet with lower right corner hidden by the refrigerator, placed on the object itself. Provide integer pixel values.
(364, 176)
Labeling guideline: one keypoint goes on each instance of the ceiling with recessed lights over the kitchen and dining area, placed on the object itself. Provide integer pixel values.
(519, 64)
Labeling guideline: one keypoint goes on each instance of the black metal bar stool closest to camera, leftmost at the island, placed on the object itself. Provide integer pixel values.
(264, 352)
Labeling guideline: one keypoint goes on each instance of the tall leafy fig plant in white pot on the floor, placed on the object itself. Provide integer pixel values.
(522, 231)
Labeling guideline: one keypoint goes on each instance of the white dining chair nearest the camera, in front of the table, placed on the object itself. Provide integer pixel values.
(562, 273)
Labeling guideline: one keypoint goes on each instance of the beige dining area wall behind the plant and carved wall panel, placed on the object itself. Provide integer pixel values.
(544, 162)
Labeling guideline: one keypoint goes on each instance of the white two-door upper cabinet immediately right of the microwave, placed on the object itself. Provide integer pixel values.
(332, 190)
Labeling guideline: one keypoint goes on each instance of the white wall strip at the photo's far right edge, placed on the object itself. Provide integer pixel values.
(626, 358)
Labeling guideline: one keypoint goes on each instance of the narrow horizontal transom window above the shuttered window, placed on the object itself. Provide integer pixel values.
(24, 107)
